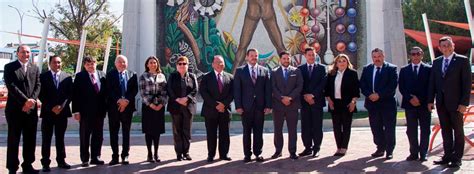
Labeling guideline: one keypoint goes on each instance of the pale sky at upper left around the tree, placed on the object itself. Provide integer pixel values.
(10, 19)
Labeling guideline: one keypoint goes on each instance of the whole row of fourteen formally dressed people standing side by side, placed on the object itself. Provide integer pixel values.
(255, 91)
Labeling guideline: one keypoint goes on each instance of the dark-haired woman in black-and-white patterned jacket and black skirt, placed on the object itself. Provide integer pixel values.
(152, 86)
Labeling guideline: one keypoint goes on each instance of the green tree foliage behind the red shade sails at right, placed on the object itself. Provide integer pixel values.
(442, 10)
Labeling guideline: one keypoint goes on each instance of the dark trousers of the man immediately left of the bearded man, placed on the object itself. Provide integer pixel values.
(252, 121)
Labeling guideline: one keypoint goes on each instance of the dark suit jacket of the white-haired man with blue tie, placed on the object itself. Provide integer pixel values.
(114, 91)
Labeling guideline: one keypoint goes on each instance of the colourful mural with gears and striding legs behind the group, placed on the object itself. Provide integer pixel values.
(200, 29)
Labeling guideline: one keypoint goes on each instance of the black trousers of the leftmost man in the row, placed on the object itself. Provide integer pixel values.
(21, 124)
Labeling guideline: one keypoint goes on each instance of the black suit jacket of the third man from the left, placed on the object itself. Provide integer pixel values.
(85, 100)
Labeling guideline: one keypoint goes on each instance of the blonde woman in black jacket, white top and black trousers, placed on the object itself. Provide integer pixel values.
(342, 91)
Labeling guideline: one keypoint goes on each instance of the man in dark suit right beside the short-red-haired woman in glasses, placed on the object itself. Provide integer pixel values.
(217, 92)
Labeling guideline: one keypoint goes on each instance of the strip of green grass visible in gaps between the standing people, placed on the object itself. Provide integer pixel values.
(236, 117)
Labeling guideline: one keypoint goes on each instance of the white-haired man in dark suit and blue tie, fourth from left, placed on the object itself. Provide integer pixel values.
(122, 87)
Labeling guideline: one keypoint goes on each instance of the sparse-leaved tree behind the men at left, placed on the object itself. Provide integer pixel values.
(69, 19)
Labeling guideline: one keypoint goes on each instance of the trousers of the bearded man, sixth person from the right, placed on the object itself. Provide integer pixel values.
(279, 117)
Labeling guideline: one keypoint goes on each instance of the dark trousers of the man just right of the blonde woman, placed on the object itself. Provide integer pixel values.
(382, 124)
